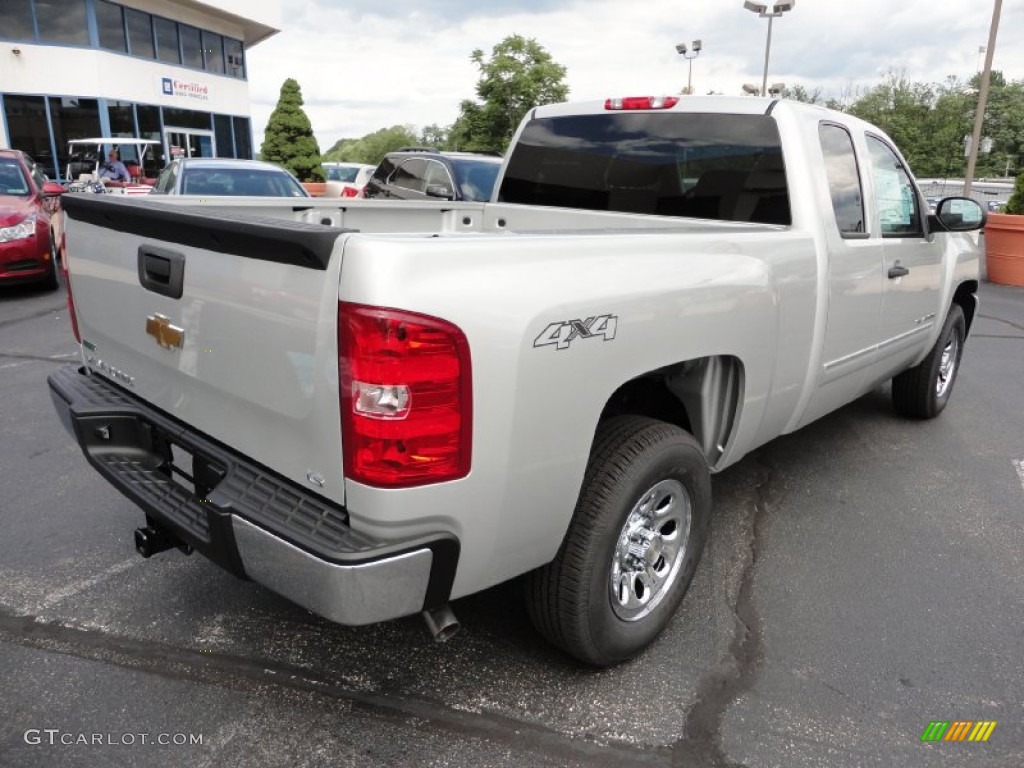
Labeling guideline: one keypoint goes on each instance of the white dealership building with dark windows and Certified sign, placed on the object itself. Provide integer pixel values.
(173, 71)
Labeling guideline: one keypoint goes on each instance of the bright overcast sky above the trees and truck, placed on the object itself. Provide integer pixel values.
(365, 65)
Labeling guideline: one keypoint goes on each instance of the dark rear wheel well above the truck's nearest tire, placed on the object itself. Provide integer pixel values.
(702, 397)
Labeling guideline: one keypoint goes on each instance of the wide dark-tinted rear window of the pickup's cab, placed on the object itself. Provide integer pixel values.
(724, 167)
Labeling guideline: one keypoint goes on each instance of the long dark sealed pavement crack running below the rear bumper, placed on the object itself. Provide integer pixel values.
(232, 671)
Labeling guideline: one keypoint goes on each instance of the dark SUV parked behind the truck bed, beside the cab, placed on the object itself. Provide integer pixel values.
(417, 174)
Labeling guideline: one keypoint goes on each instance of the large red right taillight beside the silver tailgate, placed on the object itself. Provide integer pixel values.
(406, 398)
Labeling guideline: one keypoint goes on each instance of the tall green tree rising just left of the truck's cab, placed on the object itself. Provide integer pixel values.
(520, 75)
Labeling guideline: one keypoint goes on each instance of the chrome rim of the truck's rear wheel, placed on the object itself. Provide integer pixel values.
(651, 550)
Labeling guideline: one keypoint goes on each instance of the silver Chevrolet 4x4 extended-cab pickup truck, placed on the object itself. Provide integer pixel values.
(373, 408)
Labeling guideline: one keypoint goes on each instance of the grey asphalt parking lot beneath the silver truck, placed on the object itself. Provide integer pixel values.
(863, 579)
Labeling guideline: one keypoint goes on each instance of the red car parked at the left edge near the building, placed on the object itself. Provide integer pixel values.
(27, 255)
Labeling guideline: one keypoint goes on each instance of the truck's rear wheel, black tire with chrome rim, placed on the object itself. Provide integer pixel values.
(572, 601)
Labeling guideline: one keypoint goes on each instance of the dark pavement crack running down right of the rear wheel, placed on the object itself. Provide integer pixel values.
(721, 688)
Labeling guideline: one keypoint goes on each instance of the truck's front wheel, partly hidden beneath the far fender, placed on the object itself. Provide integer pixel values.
(924, 391)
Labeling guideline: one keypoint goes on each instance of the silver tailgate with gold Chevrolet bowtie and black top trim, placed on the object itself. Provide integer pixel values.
(229, 326)
